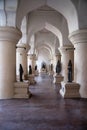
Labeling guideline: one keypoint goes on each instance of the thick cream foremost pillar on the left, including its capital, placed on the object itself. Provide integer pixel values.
(9, 37)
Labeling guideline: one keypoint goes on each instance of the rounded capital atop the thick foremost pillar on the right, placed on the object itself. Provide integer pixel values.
(79, 36)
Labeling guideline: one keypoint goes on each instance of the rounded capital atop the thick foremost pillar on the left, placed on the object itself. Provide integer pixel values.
(10, 34)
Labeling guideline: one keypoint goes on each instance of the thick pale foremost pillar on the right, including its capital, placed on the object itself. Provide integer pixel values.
(79, 39)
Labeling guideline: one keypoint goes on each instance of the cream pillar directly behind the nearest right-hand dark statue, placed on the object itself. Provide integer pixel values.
(67, 53)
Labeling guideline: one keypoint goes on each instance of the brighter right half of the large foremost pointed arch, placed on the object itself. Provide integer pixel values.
(68, 10)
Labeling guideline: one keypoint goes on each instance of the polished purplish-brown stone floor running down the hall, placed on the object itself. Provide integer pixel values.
(45, 110)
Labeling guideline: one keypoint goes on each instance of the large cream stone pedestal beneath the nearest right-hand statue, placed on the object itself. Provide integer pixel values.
(70, 90)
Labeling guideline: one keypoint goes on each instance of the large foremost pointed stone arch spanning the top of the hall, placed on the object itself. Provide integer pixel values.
(66, 8)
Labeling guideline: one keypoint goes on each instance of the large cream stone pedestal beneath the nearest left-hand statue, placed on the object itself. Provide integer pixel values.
(21, 90)
